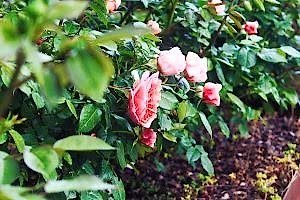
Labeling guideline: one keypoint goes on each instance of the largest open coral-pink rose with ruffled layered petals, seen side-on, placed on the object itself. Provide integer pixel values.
(144, 99)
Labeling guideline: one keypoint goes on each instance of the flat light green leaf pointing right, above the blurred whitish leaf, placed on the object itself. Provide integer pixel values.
(82, 143)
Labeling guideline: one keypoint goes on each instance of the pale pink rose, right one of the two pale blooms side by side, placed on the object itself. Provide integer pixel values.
(196, 68)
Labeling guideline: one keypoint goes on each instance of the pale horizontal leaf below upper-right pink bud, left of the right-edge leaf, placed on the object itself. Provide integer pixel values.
(272, 55)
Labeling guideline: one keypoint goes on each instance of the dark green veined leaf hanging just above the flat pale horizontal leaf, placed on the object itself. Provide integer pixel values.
(90, 116)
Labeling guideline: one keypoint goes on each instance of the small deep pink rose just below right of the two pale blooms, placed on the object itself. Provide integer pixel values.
(211, 93)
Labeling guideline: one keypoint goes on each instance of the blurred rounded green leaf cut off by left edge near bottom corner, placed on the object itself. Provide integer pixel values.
(9, 170)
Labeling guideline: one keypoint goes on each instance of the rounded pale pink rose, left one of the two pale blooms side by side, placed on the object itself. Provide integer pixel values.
(171, 62)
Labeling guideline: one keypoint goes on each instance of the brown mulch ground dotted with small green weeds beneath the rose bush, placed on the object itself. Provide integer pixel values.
(237, 163)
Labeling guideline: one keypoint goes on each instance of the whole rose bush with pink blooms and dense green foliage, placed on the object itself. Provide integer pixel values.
(90, 86)
